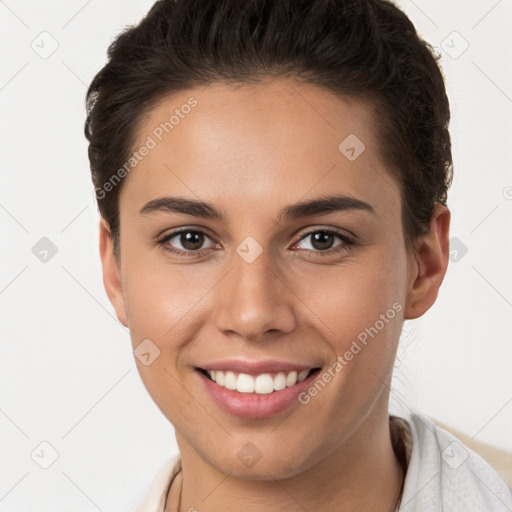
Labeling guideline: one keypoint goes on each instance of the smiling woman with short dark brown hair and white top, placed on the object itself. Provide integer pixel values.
(272, 180)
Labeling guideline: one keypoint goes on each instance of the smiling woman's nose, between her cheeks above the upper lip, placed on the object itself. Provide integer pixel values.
(254, 300)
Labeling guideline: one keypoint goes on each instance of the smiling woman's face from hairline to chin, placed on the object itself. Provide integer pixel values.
(253, 287)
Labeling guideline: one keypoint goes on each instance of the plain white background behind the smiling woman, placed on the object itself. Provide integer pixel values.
(67, 374)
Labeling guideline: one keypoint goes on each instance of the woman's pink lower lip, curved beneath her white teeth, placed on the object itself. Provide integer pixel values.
(252, 405)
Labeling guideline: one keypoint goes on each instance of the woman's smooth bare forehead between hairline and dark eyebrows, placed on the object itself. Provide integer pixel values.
(260, 144)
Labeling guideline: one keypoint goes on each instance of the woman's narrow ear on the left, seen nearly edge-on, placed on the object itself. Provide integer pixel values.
(111, 272)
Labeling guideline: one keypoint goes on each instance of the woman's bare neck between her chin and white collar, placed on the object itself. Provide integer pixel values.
(361, 474)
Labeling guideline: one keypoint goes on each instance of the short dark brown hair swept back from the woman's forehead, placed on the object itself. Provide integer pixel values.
(367, 49)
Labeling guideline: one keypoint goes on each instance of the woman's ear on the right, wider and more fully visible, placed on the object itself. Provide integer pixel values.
(428, 264)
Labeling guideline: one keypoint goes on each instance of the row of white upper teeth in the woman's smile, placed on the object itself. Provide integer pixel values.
(261, 384)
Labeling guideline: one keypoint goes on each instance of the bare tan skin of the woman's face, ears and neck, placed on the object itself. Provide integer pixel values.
(251, 151)
